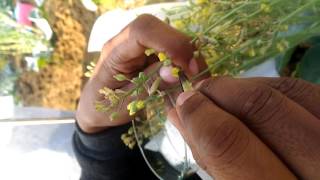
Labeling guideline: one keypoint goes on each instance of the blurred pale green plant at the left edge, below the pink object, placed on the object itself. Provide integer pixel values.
(17, 41)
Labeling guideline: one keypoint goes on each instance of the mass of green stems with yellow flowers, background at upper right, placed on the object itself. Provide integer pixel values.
(235, 35)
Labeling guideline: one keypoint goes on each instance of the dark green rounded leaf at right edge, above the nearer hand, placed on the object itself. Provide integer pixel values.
(309, 68)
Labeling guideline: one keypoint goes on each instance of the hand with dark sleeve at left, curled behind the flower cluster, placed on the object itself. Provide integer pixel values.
(125, 54)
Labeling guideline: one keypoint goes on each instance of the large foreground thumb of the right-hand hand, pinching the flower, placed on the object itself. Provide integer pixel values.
(222, 145)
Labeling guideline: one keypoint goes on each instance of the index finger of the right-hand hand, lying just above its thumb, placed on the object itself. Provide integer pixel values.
(286, 127)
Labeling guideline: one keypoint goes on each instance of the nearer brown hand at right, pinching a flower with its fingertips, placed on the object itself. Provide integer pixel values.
(255, 128)
